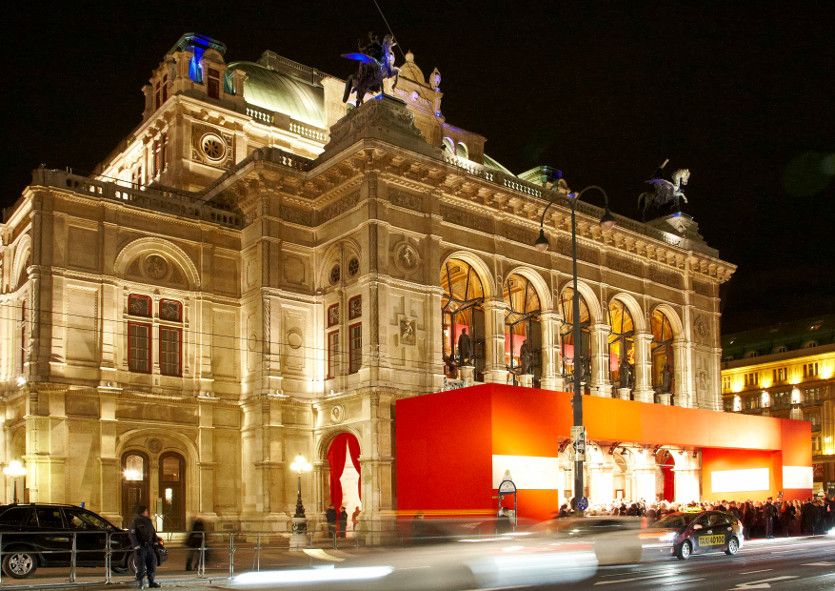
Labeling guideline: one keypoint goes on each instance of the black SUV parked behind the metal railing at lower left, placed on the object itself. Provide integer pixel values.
(39, 534)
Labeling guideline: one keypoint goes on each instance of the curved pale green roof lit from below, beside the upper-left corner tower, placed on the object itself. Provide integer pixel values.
(274, 91)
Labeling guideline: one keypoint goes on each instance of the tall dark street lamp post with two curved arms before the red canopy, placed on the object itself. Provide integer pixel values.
(607, 221)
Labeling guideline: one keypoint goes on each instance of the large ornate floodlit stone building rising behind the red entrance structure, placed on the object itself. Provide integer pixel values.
(256, 270)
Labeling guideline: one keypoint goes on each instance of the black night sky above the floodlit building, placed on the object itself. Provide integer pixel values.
(742, 94)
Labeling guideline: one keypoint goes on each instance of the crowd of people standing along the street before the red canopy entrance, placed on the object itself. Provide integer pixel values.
(760, 519)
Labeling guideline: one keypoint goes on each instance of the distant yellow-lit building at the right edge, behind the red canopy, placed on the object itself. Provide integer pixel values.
(787, 370)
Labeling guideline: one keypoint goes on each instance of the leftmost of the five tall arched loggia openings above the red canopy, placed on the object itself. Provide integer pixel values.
(462, 308)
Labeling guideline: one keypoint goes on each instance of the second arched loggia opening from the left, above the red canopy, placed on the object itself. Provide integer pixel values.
(522, 328)
